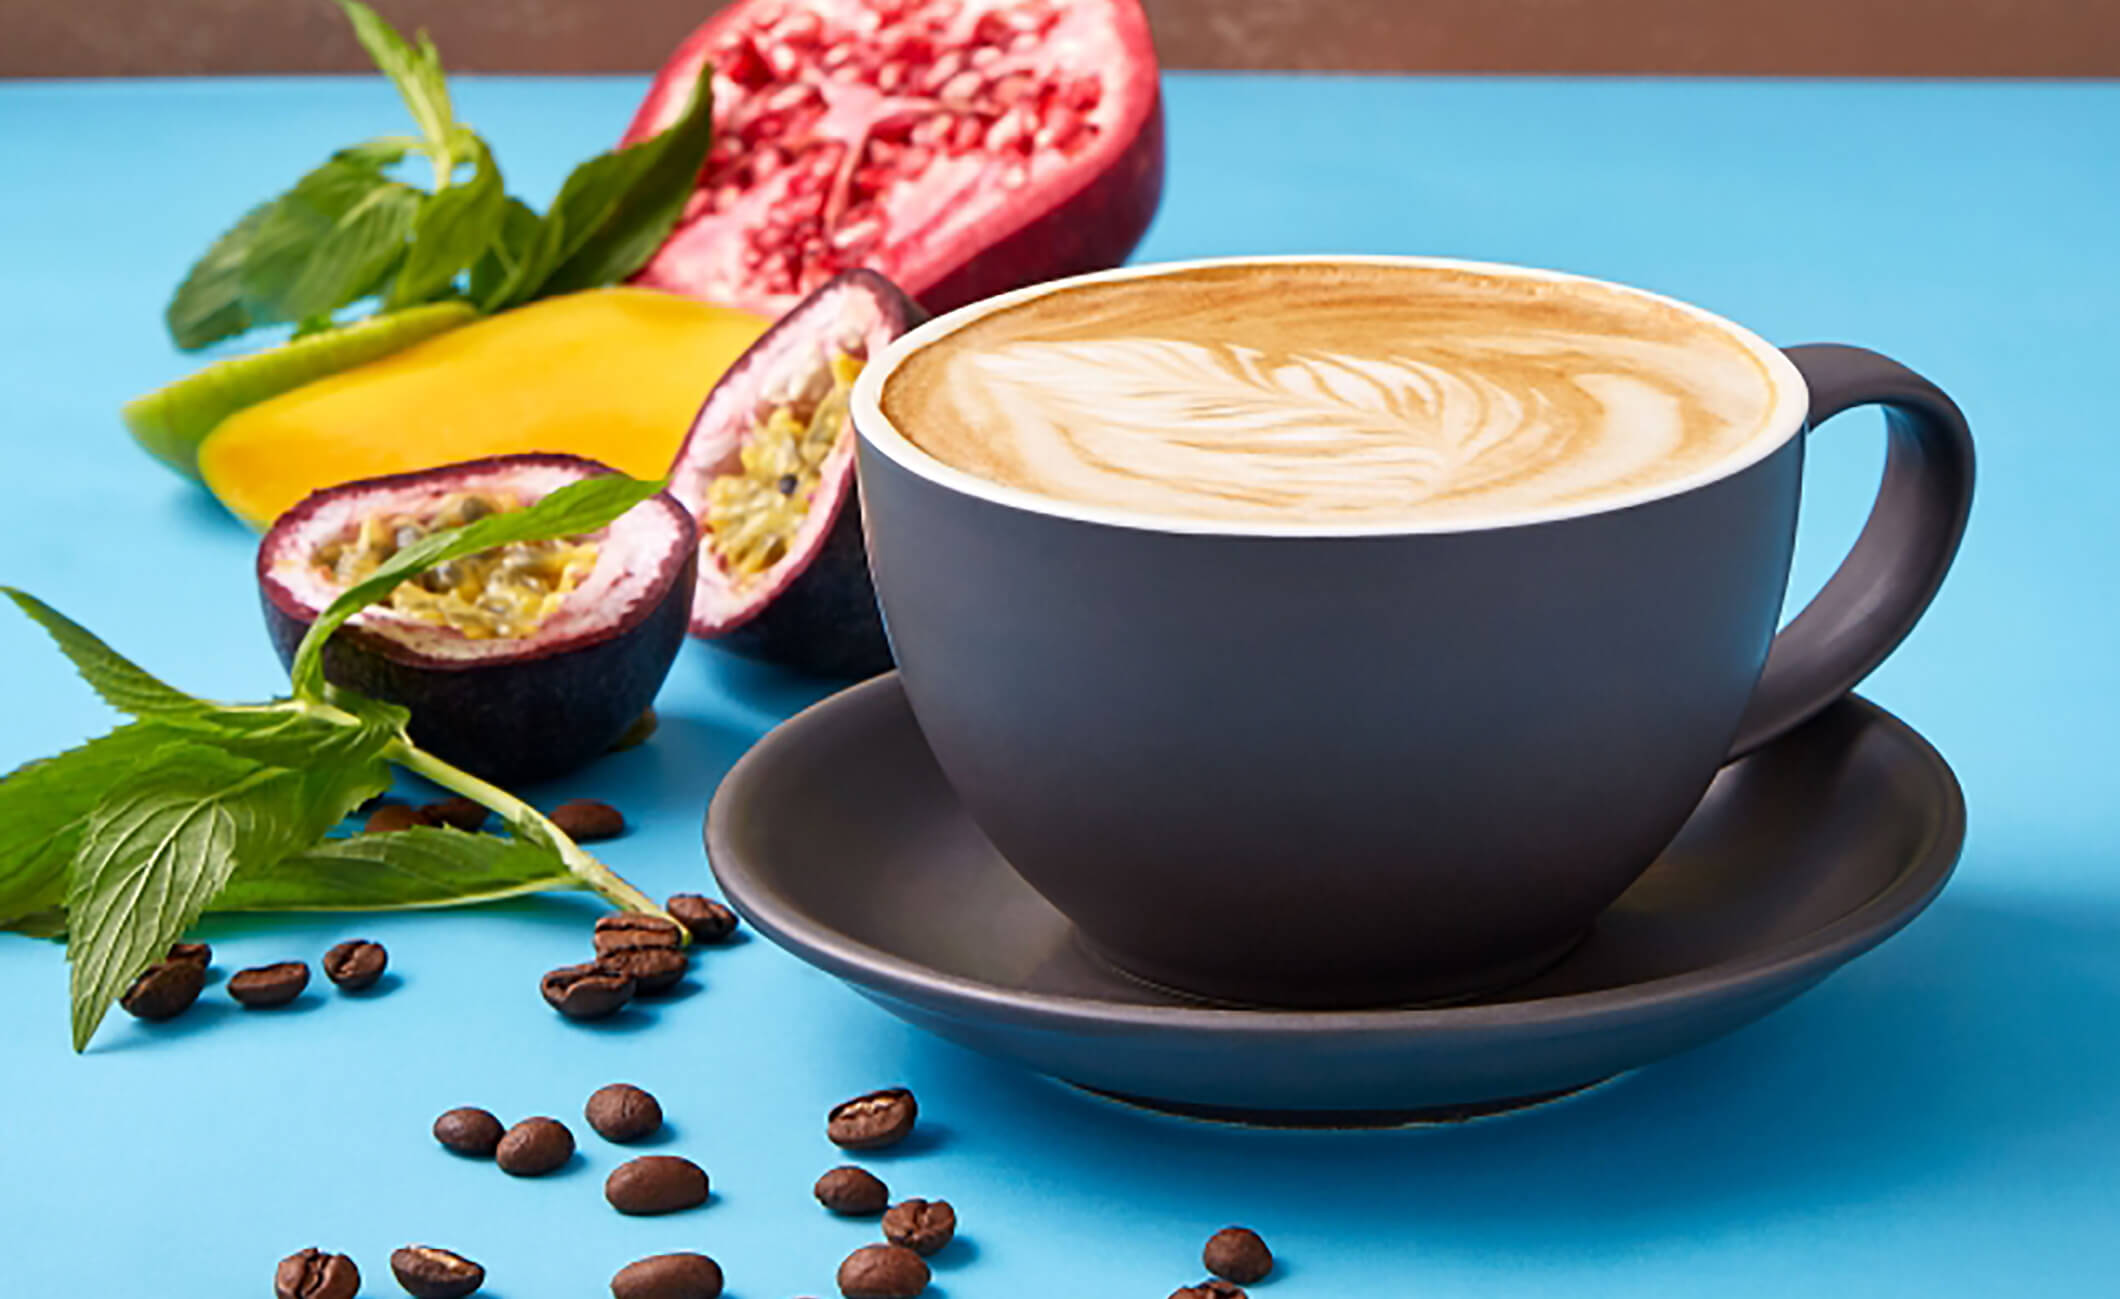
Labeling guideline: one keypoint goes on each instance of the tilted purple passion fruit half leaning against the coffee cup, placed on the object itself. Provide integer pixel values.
(788, 582)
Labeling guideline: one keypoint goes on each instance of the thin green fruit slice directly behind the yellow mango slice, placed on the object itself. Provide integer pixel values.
(171, 423)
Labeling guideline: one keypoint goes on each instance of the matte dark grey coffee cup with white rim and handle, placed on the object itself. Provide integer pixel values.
(1307, 766)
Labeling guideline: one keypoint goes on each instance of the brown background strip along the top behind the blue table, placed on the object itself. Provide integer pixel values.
(1686, 37)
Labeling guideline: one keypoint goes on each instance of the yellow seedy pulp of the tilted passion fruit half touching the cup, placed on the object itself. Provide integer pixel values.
(758, 510)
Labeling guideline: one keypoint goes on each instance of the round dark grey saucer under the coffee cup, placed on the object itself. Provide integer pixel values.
(841, 840)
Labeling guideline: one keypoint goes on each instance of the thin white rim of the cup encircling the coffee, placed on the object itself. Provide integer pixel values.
(1786, 416)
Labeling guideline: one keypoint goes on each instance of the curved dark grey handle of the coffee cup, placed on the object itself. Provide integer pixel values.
(1898, 563)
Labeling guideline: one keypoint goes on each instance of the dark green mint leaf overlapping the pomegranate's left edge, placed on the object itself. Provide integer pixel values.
(620, 207)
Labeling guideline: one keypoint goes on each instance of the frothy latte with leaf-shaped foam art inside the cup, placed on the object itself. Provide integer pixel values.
(1332, 393)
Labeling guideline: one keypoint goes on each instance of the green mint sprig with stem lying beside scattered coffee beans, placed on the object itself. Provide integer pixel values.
(226, 806)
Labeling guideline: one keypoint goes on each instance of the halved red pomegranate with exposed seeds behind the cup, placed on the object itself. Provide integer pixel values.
(959, 147)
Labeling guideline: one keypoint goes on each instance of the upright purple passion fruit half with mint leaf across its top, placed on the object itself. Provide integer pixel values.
(518, 664)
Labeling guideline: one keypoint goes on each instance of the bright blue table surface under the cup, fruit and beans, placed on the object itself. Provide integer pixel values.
(1939, 1120)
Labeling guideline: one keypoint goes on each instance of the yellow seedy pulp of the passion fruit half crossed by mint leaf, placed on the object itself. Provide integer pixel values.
(506, 592)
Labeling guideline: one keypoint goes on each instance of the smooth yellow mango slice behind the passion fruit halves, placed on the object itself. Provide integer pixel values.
(612, 374)
